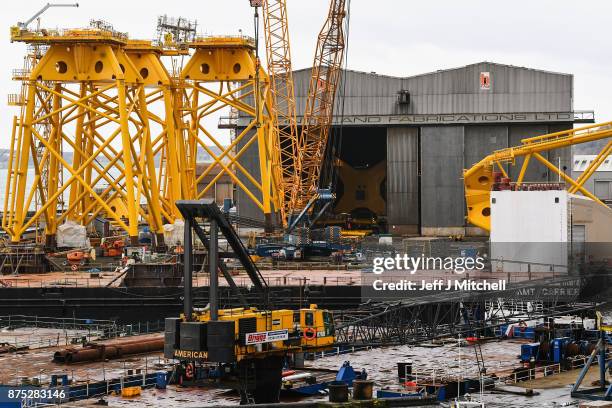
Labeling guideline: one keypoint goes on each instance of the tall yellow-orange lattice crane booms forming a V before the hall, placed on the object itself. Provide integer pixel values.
(302, 154)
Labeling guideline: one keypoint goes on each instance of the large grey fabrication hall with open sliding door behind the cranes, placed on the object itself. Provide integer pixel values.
(405, 141)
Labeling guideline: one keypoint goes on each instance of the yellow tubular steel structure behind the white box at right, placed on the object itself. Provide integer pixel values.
(479, 179)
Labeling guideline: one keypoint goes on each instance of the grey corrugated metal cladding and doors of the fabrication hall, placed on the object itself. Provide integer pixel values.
(445, 150)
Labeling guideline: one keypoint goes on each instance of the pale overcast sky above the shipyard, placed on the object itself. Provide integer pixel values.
(394, 37)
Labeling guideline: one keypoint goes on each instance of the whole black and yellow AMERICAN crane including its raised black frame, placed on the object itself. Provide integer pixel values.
(243, 346)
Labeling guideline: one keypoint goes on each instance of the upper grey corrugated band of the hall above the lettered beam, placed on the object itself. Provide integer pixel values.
(451, 91)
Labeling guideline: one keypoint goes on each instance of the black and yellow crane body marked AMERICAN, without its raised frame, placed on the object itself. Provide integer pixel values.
(246, 347)
